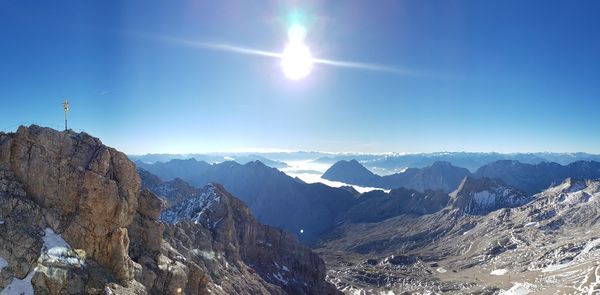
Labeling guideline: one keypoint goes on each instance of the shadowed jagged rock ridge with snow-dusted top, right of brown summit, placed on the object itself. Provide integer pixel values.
(216, 229)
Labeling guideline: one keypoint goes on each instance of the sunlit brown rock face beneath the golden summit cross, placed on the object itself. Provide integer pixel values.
(88, 192)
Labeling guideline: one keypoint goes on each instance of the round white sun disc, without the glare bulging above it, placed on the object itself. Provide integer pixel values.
(296, 60)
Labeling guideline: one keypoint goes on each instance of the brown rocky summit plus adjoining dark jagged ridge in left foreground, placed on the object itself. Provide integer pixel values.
(74, 219)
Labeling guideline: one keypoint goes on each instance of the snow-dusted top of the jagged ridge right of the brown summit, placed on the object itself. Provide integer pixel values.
(192, 209)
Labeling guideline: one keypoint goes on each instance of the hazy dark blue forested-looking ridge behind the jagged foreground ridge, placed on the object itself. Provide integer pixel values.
(307, 210)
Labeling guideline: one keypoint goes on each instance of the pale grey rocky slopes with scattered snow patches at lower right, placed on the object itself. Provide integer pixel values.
(547, 243)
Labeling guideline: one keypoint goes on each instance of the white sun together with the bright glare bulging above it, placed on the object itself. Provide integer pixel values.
(296, 60)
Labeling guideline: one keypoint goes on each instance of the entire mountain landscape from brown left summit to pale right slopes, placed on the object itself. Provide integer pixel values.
(78, 217)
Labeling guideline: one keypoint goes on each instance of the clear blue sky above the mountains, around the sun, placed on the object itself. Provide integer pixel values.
(507, 76)
